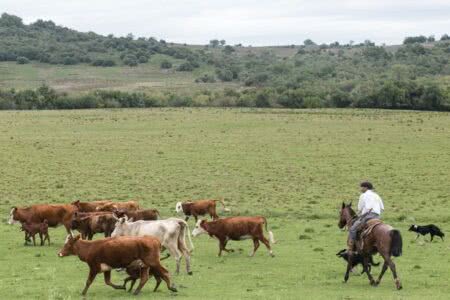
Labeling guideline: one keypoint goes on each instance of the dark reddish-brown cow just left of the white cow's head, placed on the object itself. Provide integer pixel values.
(89, 224)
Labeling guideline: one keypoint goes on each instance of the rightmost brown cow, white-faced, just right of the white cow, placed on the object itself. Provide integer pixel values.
(236, 229)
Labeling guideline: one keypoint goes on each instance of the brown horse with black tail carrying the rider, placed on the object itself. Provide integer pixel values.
(383, 239)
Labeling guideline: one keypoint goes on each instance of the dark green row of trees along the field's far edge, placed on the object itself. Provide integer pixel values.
(384, 94)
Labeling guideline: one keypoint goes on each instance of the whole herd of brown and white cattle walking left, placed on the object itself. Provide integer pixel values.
(134, 237)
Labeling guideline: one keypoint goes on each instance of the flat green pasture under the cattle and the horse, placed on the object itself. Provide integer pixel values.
(294, 167)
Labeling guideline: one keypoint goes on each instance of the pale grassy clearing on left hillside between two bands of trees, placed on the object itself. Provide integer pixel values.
(84, 78)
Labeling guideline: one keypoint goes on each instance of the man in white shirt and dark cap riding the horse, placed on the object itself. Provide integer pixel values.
(370, 206)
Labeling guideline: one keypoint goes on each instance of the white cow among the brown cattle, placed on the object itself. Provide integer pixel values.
(171, 232)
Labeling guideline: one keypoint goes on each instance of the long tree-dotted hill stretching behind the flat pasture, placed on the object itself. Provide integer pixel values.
(415, 75)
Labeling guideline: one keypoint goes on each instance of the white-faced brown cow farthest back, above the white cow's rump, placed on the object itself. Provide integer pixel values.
(199, 208)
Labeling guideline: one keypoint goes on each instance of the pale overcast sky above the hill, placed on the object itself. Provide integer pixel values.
(259, 22)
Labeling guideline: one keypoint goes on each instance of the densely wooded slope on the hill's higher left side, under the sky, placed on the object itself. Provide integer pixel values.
(45, 42)
